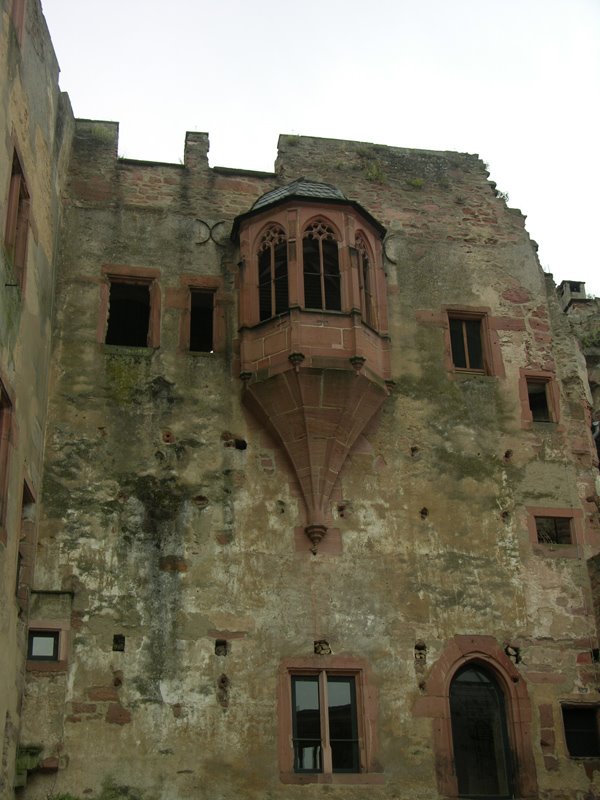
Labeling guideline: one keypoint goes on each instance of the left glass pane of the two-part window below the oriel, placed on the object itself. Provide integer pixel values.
(307, 723)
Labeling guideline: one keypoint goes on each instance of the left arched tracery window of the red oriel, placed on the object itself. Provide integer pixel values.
(273, 273)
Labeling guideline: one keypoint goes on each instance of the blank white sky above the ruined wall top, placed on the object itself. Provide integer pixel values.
(517, 81)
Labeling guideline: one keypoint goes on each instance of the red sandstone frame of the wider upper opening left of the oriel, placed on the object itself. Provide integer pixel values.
(123, 274)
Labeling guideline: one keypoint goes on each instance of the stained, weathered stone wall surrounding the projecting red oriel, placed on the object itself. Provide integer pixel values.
(169, 536)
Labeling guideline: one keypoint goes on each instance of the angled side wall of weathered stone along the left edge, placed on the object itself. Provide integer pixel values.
(35, 122)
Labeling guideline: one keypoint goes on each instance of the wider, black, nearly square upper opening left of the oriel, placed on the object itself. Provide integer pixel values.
(129, 314)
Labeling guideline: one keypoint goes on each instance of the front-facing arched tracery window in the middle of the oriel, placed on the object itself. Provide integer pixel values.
(321, 268)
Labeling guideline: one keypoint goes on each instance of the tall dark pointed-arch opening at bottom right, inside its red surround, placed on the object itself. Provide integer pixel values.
(479, 735)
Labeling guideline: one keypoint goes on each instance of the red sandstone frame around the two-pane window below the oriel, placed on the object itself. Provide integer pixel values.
(366, 712)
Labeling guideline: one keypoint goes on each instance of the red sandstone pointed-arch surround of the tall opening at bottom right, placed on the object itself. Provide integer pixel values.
(484, 651)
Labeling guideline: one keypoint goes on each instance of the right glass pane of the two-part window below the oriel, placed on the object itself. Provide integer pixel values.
(342, 723)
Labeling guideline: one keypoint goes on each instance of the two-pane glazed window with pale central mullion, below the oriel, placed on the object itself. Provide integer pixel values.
(324, 723)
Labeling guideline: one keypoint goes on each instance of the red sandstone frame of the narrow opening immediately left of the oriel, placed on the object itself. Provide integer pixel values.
(182, 298)
